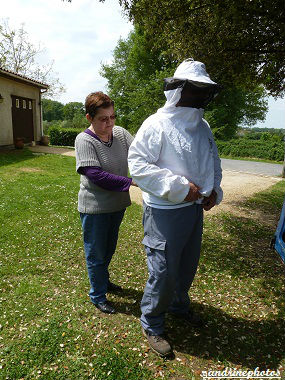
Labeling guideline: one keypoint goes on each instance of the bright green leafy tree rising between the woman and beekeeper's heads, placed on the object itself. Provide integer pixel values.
(135, 80)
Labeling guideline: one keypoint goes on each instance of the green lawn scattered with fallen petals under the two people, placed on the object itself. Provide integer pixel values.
(50, 330)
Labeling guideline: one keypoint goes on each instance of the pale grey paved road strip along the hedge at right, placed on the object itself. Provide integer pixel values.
(259, 168)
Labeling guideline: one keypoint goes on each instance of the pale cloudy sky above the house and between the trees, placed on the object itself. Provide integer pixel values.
(79, 37)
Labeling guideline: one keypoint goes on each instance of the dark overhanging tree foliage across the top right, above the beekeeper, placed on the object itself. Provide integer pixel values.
(241, 42)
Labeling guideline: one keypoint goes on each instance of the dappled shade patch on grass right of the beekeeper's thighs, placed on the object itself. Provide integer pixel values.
(240, 246)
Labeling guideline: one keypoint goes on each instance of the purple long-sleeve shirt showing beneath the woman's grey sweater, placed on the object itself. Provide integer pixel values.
(100, 177)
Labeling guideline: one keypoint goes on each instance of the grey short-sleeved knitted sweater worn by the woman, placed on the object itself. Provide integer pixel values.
(92, 199)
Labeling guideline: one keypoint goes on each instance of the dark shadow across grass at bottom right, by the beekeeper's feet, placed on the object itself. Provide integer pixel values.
(231, 340)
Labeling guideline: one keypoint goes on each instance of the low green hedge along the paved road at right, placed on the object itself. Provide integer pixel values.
(267, 150)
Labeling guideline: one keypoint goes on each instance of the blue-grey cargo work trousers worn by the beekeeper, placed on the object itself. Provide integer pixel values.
(172, 239)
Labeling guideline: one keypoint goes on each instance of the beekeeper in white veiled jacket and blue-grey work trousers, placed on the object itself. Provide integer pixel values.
(175, 162)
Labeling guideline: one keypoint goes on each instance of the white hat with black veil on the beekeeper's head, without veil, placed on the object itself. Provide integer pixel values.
(193, 70)
